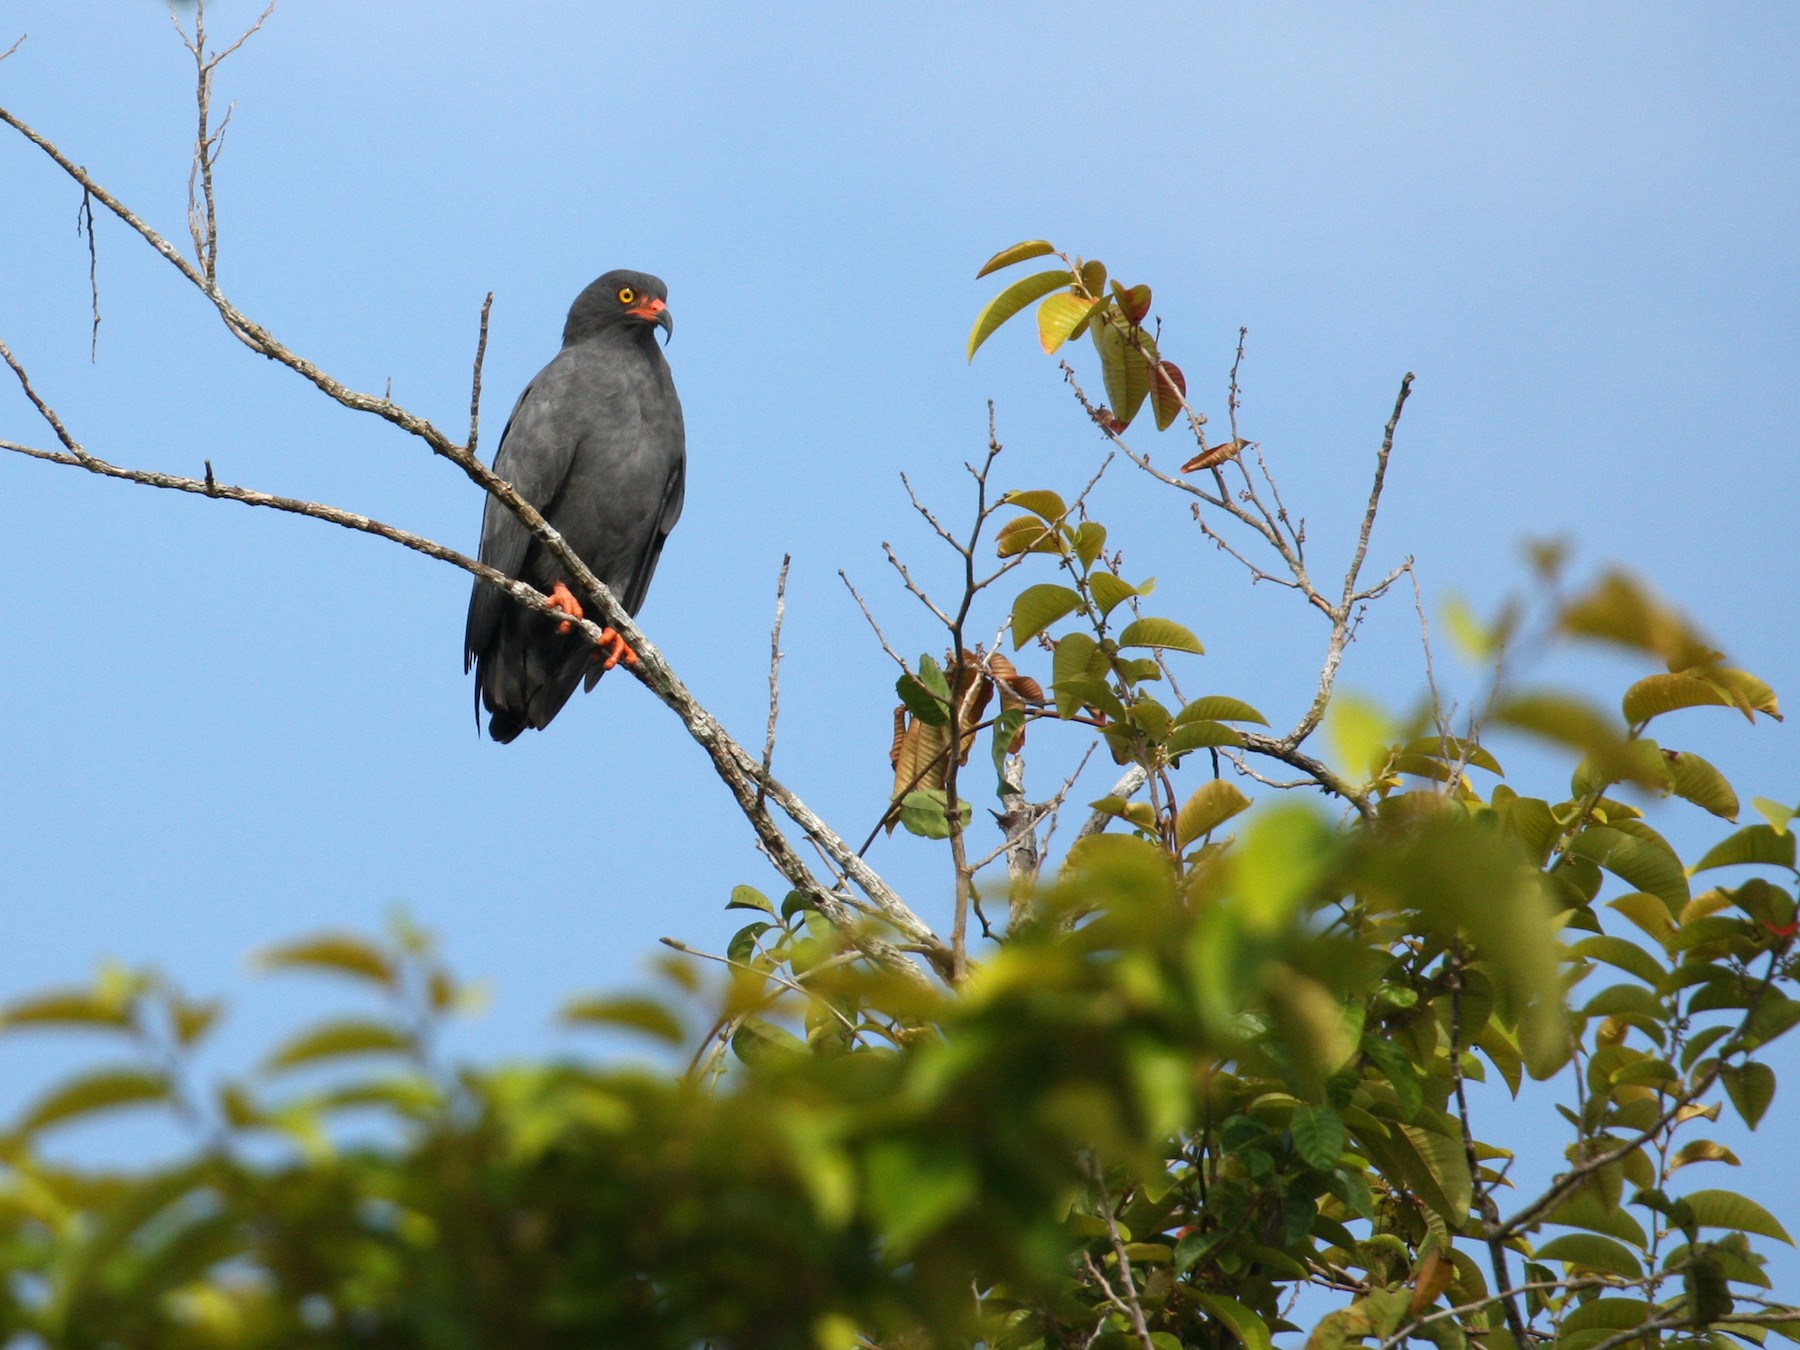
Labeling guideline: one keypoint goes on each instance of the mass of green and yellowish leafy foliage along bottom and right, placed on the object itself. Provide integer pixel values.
(1216, 1057)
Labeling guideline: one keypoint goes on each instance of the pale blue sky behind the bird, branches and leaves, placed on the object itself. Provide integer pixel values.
(1574, 222)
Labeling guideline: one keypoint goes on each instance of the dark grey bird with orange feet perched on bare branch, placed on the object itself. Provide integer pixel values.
(597, 444)
